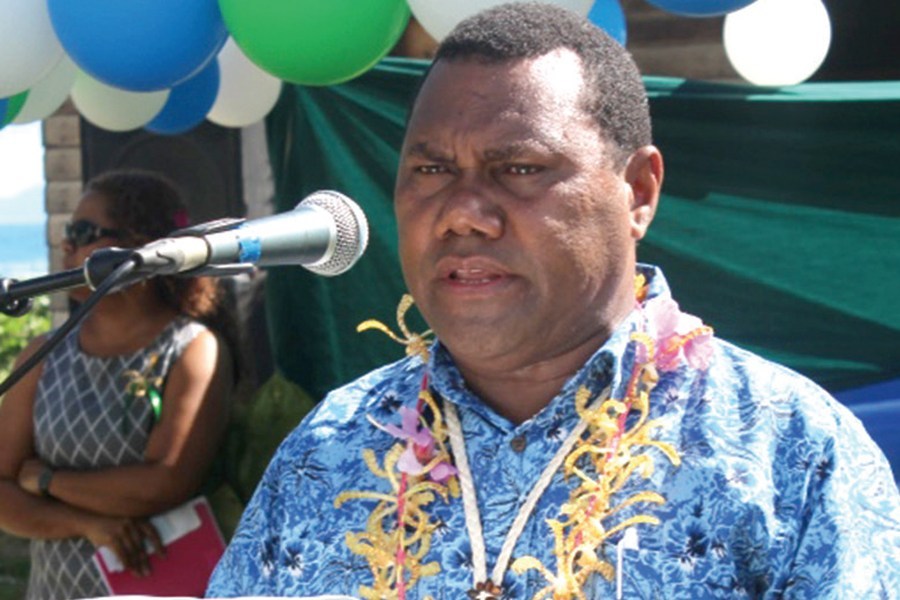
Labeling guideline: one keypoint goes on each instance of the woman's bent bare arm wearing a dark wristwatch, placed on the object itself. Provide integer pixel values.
(179, 451)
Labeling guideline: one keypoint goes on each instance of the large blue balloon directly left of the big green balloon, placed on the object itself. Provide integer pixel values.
(139, 45)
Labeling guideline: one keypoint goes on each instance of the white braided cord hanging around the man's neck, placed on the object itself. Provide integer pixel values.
(470, 500)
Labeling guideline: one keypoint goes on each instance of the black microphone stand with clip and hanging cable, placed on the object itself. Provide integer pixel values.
(105, 270)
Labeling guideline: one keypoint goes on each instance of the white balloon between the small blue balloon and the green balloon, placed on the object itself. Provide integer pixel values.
(246, 92)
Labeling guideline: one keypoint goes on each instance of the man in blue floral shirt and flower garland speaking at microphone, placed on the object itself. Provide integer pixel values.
(571, 434)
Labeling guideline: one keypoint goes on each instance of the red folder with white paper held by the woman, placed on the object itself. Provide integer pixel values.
(193, 545)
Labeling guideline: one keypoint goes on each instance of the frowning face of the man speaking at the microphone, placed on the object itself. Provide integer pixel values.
(517, 231)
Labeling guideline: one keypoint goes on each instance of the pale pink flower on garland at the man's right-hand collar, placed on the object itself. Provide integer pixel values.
(675, 334)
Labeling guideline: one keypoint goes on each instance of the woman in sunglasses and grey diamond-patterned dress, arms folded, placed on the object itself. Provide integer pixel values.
(123, 419)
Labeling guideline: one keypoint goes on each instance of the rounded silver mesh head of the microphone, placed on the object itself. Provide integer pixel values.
(351, 232)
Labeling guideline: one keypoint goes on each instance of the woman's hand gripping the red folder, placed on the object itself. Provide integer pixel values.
(127, 538)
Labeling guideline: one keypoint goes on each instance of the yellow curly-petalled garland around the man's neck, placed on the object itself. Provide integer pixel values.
(399, 531)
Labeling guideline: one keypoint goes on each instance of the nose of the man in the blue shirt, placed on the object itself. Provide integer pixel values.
(470, 207)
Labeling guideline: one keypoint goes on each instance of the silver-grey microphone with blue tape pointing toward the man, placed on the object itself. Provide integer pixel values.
(326, 233)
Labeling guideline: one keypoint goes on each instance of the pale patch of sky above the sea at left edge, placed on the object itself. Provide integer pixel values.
(21, 174)
